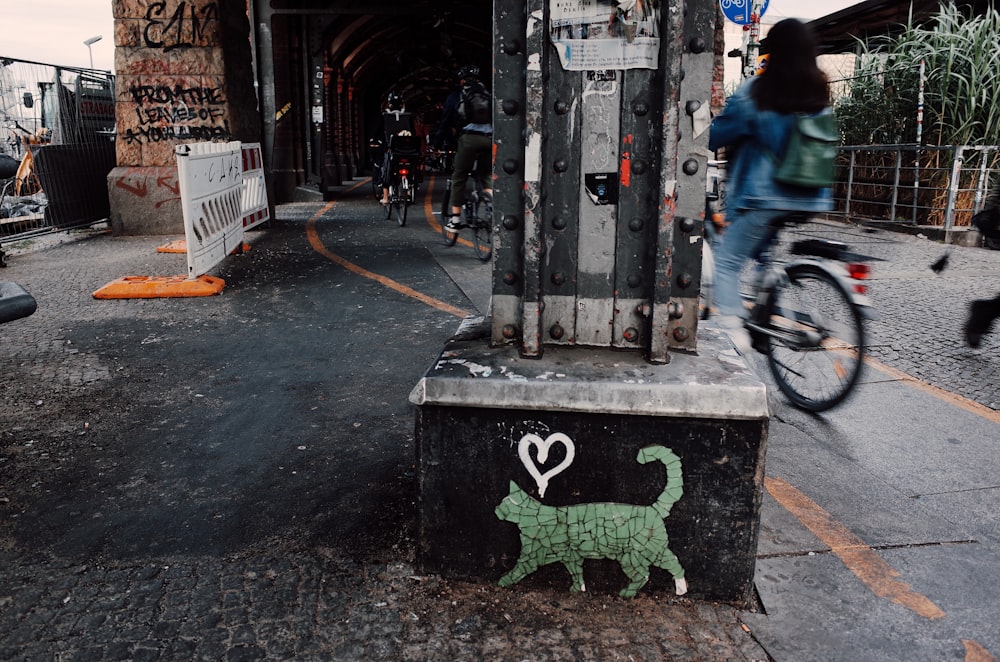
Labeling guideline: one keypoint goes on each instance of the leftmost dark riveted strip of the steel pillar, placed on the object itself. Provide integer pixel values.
(509, 202)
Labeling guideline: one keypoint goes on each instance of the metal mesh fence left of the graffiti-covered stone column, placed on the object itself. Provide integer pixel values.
(57, 126)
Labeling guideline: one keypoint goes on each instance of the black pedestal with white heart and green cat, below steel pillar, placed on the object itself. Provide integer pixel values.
(569, 430)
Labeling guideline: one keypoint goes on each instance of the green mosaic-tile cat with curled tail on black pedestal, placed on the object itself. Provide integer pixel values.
(634, 536)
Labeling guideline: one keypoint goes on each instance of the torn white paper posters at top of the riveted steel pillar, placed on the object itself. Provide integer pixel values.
(605, 34)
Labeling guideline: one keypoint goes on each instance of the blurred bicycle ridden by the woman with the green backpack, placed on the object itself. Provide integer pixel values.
(807, 317)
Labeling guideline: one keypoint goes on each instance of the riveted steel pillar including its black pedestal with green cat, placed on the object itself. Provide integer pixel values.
(540, 441)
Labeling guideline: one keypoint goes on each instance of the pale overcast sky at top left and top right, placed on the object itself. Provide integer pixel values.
(53, 31)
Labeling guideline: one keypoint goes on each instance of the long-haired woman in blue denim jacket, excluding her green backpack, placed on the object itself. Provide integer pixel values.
(754, 127)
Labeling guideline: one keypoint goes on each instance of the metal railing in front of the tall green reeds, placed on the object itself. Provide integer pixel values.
(916, 185)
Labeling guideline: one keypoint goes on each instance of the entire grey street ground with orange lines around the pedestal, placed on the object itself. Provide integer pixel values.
(232, 477)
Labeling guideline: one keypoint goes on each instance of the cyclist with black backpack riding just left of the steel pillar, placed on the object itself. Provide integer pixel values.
(467, 111)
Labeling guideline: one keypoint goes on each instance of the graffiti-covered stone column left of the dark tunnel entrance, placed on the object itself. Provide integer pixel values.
(184, 74)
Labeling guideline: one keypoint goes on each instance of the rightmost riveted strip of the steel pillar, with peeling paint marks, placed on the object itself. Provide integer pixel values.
(678, 267)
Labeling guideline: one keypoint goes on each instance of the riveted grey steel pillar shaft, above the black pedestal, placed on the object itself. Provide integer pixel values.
(600, 184)
